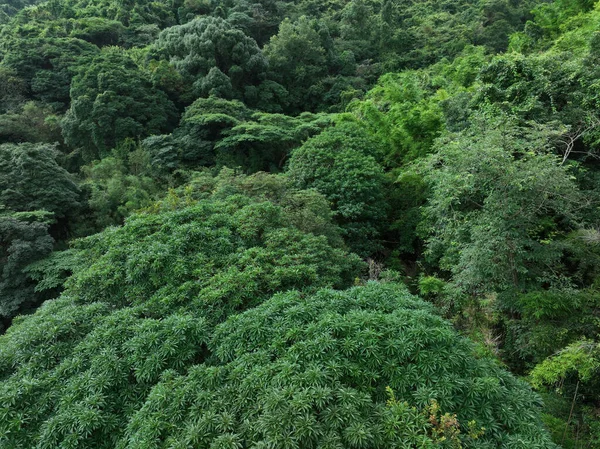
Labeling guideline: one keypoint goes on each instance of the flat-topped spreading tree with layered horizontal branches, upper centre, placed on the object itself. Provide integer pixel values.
(215, 131)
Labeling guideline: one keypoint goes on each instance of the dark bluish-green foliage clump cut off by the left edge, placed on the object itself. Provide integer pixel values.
(37, 198)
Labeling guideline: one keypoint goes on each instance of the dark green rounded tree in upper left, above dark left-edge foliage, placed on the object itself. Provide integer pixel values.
(112, 100)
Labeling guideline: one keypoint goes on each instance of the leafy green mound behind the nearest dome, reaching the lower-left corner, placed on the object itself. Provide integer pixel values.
(146, 298)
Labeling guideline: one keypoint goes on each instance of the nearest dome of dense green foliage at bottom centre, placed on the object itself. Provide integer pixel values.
(312, 372)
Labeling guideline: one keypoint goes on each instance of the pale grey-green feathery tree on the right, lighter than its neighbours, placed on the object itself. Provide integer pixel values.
(499, 199)
